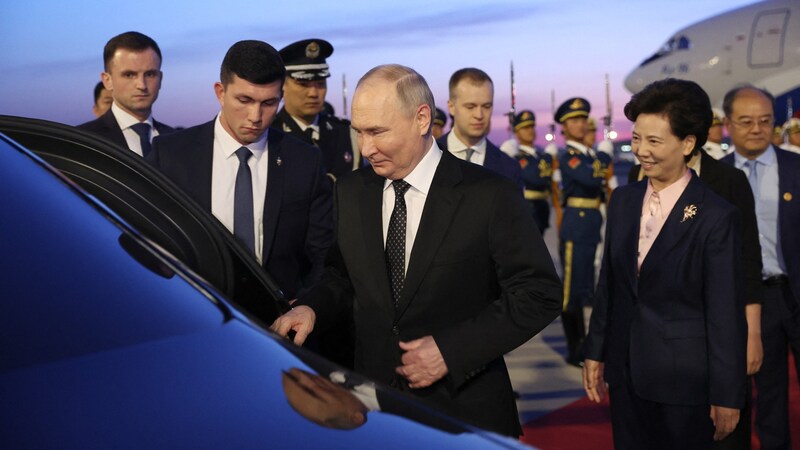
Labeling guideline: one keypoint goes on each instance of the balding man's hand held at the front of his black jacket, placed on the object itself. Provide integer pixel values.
(423, 363)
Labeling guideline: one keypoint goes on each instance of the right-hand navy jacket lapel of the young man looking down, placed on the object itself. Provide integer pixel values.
(275, 186)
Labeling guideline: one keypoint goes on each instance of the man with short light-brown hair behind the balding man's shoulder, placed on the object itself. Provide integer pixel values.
(471, 104)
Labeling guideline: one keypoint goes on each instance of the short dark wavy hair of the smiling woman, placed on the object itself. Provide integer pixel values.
(684, 103)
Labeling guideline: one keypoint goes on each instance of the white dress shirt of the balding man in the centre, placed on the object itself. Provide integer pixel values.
(420, 180)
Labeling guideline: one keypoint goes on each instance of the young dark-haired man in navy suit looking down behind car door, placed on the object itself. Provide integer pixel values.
(278, 201)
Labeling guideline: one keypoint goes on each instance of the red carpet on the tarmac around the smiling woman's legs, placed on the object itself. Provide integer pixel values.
(586, 425)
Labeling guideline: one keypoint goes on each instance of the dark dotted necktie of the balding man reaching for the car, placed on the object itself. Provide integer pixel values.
(396, 241)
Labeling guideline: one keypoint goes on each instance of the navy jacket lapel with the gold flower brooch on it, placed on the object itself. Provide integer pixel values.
(680, 220)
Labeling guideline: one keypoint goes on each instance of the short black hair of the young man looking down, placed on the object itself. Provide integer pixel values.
(253, 61)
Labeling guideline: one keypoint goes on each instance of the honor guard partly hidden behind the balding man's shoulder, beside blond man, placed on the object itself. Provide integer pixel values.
(537, 168)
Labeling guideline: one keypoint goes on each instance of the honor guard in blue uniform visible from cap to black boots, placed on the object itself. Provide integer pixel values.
(582, 181)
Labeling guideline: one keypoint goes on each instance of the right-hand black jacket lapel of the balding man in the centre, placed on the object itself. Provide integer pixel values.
(437, 216)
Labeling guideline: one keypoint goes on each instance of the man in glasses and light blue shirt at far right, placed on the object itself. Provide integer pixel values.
(773, 175)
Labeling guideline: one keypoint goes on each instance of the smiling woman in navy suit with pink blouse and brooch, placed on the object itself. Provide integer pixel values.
(668, 329)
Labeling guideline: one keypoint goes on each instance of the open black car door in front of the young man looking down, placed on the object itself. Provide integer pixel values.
(148, 201)
